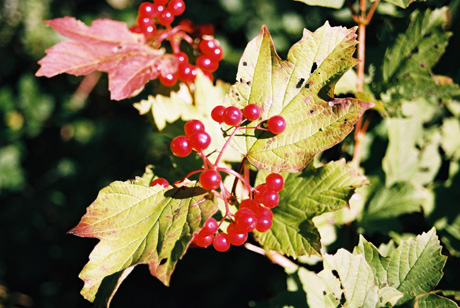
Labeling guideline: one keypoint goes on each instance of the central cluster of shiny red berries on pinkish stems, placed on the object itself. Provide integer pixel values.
(254, 212)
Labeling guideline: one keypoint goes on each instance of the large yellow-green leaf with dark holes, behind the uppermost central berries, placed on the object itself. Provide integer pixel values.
(301, 90)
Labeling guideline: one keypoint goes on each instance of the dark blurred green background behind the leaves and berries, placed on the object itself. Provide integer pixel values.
(59, 147)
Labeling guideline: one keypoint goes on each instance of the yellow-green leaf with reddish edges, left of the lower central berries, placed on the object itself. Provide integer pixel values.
(140, 225)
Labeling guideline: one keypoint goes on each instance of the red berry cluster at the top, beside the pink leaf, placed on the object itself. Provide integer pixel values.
(154, 22)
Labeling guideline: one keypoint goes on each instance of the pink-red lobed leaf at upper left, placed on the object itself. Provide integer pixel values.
(106, 46)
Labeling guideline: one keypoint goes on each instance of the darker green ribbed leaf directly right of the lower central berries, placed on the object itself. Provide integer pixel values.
(305, 195)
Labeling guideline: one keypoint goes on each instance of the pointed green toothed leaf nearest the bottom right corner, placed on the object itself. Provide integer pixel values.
(415, 267)
